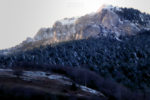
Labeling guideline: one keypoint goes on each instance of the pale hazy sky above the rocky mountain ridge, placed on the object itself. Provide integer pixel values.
(20, 19)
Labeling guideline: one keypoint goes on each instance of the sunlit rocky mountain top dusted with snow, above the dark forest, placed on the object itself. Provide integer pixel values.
(108, 21)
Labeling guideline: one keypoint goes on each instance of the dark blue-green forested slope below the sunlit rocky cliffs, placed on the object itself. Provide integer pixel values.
(127, 61)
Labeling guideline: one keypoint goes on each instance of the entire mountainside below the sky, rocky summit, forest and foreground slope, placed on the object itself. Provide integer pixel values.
(100, 56)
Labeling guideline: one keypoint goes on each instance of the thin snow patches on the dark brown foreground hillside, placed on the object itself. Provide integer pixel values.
(36, 75)
